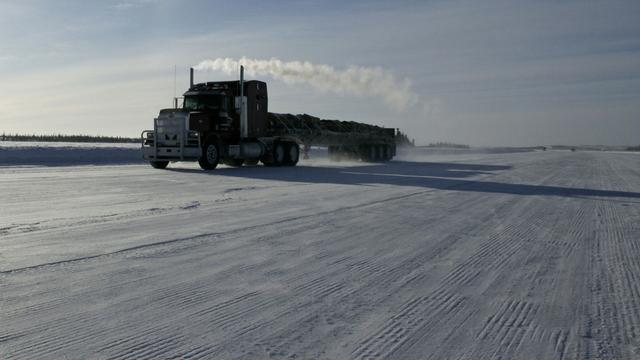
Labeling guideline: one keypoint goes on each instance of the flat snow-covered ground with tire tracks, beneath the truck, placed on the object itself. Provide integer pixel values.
(465, 256)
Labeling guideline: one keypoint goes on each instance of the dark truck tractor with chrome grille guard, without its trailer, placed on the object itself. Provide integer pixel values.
(222, 121)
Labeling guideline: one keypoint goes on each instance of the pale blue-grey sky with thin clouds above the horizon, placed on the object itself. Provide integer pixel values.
(514, 73)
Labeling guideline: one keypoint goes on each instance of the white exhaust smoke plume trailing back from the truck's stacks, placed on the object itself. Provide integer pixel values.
(355, 80)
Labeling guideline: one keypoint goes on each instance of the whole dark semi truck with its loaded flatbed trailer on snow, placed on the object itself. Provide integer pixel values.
(228, 122)
